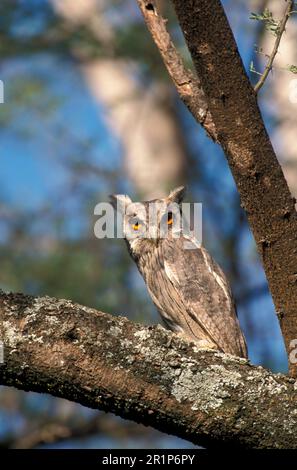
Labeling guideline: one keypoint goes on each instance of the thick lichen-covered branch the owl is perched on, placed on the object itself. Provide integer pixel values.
(145, 374)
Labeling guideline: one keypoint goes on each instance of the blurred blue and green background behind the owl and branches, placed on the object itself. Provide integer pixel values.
(89, 110)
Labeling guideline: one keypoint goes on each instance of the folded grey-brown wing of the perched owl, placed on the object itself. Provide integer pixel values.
(205, 294)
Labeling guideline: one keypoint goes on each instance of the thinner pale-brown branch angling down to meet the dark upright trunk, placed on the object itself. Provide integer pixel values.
(187, 84)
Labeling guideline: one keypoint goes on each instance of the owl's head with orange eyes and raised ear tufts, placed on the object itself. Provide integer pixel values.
(147, 222)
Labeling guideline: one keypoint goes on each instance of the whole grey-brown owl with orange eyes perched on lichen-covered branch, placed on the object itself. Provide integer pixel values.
(187, 286)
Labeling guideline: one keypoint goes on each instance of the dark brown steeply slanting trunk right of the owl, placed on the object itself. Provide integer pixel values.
(240, 131)
